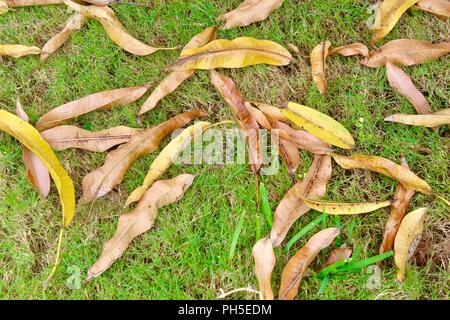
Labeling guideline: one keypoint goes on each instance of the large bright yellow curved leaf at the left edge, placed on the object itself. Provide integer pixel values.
(31, 139)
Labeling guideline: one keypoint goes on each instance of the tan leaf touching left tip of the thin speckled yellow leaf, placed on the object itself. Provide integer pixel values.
(292, 207)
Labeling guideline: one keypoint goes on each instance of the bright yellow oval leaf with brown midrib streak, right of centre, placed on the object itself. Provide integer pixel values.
(319, 124)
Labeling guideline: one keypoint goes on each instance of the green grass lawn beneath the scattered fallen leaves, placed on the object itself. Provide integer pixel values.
(186, 254)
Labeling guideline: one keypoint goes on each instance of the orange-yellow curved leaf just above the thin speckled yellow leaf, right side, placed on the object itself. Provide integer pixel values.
(385, 167)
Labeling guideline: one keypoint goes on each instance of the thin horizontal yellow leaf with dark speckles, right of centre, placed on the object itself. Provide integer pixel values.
(345, 208)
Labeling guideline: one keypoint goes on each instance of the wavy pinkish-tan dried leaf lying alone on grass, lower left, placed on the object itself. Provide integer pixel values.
(140, 220)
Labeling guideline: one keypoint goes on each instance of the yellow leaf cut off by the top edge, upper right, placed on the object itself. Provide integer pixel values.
(387, 15)
